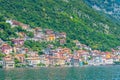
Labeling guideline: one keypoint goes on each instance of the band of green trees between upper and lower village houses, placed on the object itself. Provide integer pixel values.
(39, 46)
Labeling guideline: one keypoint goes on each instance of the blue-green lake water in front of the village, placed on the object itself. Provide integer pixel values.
(71, 73)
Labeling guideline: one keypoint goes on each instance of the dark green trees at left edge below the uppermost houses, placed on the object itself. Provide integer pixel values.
(7, 32)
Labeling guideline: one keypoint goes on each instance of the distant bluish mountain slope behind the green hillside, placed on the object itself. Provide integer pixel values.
(110, 7)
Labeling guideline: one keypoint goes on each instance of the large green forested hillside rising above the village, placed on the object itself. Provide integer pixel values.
(74, 17)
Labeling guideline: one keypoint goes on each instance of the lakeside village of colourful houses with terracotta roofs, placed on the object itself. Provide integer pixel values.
(20, 56)
